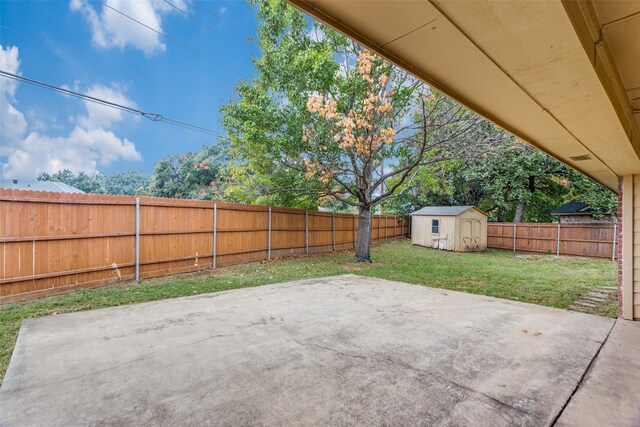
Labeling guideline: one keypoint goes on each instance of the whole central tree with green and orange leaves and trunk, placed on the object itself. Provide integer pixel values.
(323, 115)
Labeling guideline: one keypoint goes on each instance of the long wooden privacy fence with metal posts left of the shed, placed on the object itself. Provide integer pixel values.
(55, 242)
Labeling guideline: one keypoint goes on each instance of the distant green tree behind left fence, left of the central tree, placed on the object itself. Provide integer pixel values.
(193, 175)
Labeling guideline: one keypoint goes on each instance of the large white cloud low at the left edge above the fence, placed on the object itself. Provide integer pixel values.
(89, 145)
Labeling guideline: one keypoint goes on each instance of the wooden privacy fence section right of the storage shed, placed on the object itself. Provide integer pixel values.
(597, 241)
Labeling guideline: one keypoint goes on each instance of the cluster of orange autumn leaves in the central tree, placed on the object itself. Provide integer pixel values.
(364, 129)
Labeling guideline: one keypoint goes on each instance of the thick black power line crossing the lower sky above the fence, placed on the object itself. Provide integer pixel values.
(151, 116)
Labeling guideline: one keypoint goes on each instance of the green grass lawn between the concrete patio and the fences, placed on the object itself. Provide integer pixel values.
(538, 279)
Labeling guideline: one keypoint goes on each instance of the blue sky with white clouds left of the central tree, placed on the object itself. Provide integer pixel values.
(89, 48)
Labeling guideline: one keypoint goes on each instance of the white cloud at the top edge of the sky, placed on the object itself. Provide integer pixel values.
(111, 29)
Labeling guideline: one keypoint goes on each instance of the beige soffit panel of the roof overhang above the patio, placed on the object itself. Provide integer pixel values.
(520, 64)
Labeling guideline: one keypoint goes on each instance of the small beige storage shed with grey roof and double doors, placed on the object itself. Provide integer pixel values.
(451, 228)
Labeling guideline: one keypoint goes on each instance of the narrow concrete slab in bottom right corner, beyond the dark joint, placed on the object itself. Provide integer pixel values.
(610, 392)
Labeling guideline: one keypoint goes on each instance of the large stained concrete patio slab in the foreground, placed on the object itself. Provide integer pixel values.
(346, 350)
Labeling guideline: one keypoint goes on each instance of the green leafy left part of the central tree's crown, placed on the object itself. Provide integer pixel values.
(268, 116)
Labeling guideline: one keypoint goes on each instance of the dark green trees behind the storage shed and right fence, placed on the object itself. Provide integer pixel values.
(510, 175)
